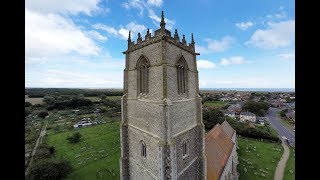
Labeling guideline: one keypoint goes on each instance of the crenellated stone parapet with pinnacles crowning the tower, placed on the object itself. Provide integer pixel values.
(161, 34)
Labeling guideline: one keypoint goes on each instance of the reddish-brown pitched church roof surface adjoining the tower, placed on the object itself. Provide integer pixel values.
(218, 149)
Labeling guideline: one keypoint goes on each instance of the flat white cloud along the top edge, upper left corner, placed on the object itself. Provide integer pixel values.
(63, 6)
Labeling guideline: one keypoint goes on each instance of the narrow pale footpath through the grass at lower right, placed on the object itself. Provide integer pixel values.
(278, 175)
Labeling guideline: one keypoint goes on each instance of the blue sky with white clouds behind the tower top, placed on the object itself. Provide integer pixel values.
(79, 43)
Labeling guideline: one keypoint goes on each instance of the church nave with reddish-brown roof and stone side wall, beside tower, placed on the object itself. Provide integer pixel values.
(221, 154)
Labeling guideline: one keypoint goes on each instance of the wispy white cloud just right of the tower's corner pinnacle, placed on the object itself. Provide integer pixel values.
(216, 45)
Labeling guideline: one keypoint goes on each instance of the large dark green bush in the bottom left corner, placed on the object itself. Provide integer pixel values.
(50, 169)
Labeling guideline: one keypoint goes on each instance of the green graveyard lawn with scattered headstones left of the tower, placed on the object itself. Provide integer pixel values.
(96, 156)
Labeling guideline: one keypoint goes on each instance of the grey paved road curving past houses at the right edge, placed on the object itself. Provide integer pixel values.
(274, 120)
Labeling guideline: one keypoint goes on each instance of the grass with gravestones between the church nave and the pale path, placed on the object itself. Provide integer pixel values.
(257, 160)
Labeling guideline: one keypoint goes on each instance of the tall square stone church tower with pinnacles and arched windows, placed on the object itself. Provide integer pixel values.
(162, 134)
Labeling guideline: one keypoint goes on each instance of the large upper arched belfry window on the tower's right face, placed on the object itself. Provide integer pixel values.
(182, 70)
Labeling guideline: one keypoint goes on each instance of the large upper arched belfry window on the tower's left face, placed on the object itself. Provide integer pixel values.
(143, 75)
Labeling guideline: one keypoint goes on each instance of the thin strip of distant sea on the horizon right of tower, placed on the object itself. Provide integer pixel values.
(252, 89)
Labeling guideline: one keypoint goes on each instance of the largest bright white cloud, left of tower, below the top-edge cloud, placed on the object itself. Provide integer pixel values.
(52, 34)
